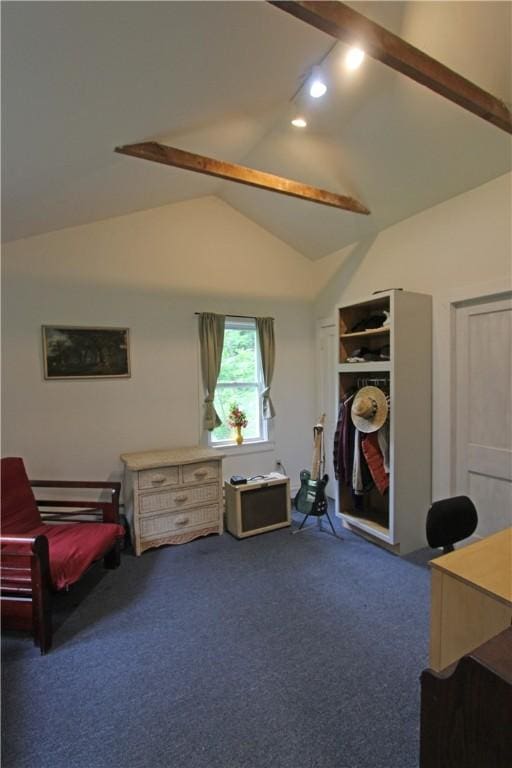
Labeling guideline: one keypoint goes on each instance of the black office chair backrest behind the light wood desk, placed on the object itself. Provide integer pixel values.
(450, 521)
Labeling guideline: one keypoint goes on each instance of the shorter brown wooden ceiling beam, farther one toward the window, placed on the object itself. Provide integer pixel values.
(160, 153)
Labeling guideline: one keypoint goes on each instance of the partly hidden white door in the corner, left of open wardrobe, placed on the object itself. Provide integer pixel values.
(326, 356)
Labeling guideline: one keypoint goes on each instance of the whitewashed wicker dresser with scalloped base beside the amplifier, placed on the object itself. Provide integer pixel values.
(172, 496)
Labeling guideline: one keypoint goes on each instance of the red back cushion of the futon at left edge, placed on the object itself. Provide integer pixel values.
(19, 509)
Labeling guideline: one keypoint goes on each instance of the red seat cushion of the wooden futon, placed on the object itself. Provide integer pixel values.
(73, 547)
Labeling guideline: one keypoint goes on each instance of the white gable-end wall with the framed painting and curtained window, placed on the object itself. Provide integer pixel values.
(148, 271)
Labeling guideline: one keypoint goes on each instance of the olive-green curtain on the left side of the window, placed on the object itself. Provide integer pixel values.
(211, 338)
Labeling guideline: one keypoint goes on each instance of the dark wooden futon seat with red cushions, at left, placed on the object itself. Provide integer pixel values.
(42, 552)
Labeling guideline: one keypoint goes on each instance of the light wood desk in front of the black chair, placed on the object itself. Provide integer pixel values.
(471, 597)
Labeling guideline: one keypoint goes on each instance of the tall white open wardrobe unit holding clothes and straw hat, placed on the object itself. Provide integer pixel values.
(395, 520)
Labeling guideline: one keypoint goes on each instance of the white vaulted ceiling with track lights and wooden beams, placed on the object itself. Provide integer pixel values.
(222, 79)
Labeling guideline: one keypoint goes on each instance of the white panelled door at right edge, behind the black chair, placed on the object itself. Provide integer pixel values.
(483, 402)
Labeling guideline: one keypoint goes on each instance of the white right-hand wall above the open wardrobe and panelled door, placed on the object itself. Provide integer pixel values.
(460, 247)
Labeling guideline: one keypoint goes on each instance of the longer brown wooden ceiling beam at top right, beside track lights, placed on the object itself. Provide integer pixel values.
(342, 22)
